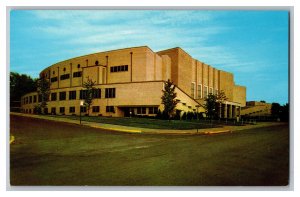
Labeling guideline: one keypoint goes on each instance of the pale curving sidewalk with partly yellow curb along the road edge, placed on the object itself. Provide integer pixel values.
(127, 129)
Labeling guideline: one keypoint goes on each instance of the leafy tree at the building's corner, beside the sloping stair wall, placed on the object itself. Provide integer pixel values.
(168, 98)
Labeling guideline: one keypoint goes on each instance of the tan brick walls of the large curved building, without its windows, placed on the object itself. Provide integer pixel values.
(143, 66)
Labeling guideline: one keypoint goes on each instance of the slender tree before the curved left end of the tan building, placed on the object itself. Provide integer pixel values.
(43, 90)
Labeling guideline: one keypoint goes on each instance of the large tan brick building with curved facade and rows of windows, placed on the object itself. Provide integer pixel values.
(131, 80)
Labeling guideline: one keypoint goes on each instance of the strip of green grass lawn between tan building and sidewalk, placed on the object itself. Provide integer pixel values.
(147, 122)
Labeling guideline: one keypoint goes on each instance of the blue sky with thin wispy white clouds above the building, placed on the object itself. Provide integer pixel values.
(253, 45)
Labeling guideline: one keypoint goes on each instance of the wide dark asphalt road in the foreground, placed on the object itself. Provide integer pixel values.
(54, 153)
